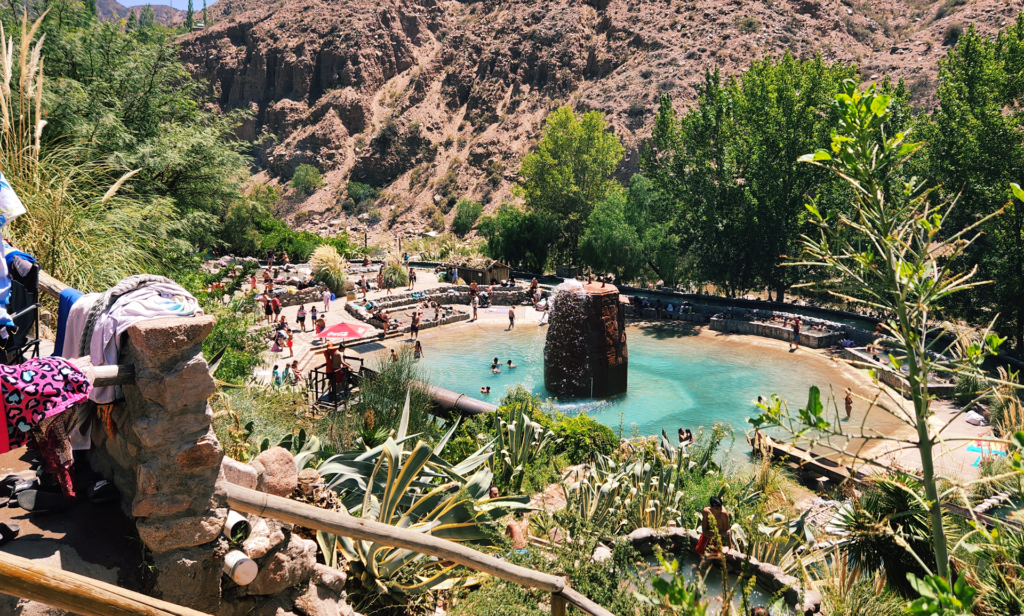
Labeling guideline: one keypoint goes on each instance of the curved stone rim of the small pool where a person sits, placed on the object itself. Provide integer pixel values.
(771, 578)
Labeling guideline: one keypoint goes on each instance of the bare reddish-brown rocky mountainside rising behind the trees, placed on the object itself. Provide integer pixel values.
(434, 100)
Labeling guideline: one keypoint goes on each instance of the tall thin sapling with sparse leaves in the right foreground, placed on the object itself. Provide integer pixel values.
(900, 258)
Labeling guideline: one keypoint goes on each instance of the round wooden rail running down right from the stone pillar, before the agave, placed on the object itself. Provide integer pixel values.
(264, 505)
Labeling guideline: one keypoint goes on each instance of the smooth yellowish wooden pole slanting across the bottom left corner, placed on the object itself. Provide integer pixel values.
(77, 594)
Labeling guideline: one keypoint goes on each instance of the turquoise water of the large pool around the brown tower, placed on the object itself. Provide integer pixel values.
(676, 379)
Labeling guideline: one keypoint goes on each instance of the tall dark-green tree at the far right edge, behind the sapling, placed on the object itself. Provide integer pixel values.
(976, 150)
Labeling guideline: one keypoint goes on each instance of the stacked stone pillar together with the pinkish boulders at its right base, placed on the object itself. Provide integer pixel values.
(169, 467)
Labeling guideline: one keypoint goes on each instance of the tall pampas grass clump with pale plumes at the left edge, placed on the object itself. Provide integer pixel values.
(79, 226)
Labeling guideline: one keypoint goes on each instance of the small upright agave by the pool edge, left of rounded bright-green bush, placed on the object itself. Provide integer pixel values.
(521, 442)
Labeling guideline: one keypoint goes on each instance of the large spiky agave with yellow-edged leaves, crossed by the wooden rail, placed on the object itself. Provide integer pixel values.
(455, 511)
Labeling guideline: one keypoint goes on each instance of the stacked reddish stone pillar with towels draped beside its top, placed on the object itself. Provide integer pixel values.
(166, 460)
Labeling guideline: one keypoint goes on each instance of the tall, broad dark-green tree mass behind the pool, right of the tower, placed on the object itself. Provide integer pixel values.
(730, 164)
